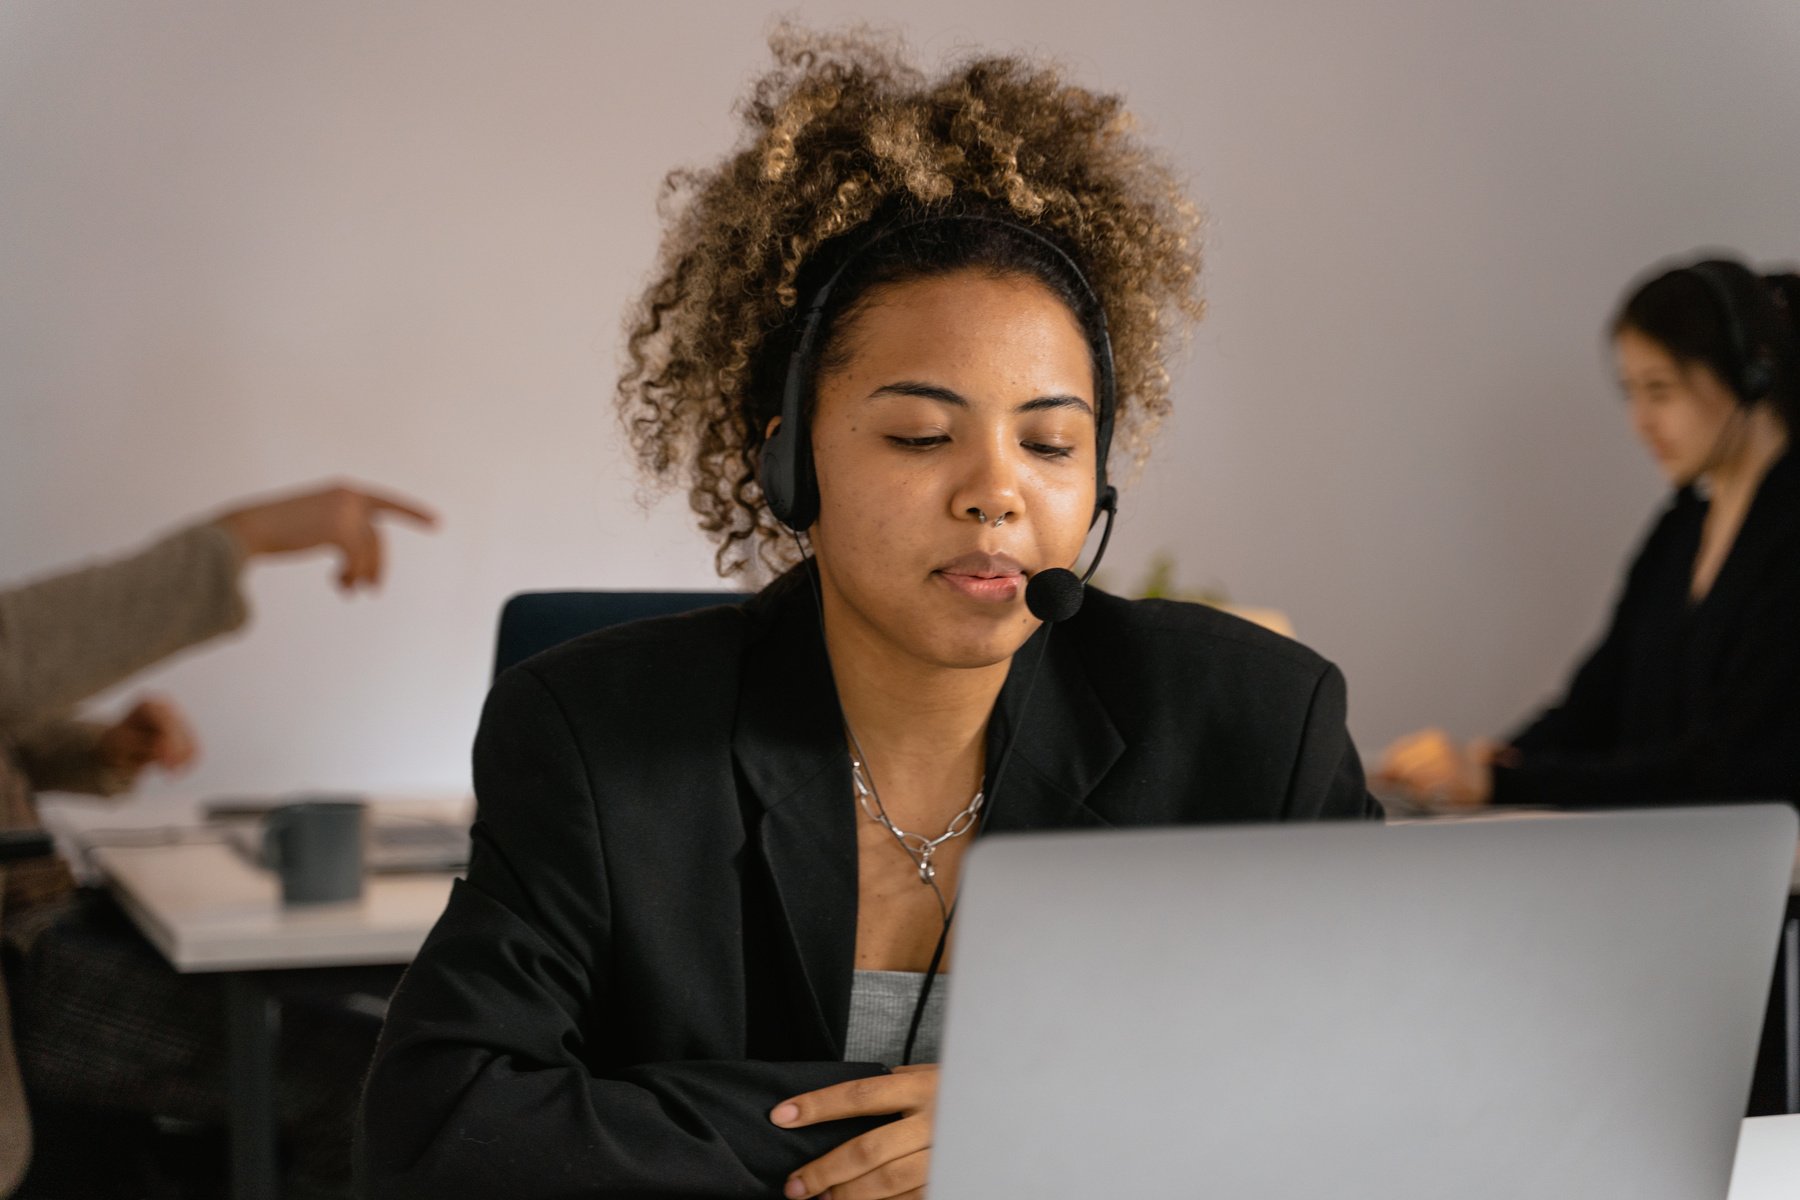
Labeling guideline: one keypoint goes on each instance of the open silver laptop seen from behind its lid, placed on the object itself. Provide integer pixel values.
(1500, 1010)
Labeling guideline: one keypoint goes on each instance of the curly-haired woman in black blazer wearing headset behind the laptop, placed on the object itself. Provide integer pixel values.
(888, 348)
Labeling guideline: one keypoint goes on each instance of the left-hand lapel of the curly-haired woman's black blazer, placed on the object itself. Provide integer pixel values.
(789, 746)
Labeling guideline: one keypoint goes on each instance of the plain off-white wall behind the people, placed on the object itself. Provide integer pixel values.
(253, 246)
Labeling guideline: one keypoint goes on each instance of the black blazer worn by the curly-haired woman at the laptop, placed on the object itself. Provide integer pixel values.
(656, 938)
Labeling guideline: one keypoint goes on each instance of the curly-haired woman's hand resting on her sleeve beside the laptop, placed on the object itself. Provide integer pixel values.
(883, 1165)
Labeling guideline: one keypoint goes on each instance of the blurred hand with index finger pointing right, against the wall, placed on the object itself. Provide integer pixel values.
(341, 515)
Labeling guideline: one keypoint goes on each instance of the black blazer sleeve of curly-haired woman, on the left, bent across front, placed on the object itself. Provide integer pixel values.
(485, 1082)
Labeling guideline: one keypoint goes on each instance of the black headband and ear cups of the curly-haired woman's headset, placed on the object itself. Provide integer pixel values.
(786, 472)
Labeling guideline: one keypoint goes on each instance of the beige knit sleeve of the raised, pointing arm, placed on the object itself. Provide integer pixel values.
(69, 636)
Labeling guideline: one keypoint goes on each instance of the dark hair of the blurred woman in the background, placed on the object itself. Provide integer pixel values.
(1689, 312)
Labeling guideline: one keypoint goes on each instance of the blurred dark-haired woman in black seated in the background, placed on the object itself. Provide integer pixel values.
(1695, 690)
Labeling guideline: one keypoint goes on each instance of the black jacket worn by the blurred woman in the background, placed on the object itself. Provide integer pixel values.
(1684, 703)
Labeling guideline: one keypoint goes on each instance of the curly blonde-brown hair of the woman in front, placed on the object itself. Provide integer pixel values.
(841, 134)
